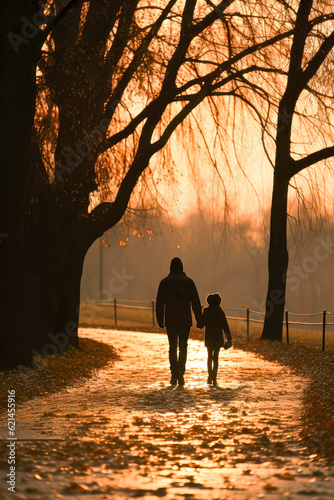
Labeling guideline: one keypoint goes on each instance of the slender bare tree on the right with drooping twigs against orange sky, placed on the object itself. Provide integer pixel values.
(292, 88)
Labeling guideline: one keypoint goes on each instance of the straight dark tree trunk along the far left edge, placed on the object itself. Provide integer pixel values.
(17, 103)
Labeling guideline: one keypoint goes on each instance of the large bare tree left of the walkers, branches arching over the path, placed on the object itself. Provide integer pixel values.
(96, 63)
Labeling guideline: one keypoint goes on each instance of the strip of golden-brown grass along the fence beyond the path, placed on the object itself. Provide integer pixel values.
(129, 317)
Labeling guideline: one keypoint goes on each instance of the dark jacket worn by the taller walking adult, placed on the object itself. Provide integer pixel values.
(177, 294)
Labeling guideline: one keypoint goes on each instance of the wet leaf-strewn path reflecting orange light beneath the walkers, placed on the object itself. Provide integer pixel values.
(126, 433)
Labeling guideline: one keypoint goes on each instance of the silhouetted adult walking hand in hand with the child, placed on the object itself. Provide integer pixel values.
(177, 294)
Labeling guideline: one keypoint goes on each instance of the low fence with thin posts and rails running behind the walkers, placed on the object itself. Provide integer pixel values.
(128, 304)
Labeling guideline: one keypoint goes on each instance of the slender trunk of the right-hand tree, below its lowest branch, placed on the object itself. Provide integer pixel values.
(278, 260)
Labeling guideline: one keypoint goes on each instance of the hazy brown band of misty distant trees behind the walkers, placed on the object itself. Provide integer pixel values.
(229, 257)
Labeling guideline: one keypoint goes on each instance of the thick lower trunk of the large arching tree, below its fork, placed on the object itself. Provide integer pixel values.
(55, 285)
